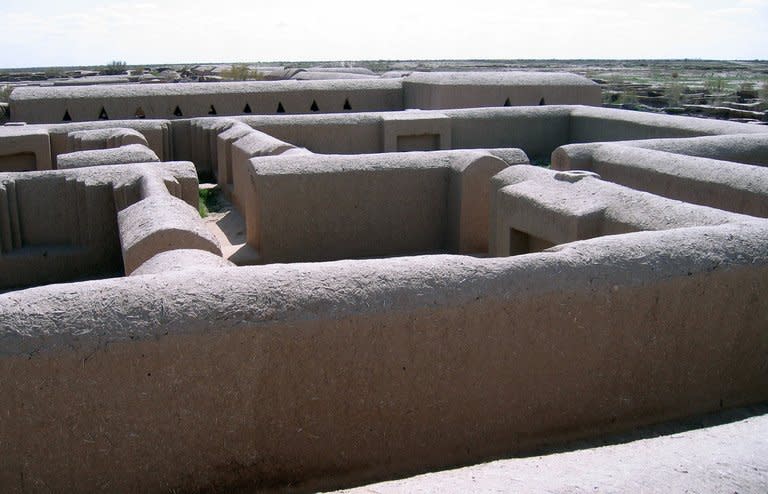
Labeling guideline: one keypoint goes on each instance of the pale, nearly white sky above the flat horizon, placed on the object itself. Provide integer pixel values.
(95, 32)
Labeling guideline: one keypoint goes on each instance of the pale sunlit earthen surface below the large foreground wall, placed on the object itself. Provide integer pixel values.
(724, 458)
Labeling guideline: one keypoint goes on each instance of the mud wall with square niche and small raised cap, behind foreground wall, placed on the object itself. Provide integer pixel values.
(534, 208)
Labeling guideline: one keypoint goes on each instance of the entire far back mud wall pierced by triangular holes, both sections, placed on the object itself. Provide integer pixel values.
(426, 91)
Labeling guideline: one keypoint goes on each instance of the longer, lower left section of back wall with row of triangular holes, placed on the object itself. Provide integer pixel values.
(169, 101)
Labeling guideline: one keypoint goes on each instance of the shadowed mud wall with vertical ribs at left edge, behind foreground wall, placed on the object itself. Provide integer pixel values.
(61, 225)
